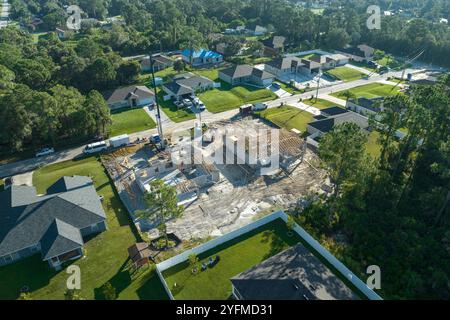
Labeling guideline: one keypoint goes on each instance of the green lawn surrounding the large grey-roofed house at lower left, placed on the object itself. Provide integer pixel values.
(106, 254)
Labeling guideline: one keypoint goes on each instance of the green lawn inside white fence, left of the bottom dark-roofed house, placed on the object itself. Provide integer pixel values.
(236, 256)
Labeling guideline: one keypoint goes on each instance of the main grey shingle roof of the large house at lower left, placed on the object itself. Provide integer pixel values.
(26, 217)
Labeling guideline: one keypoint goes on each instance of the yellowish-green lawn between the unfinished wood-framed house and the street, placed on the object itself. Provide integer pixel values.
(288, 117)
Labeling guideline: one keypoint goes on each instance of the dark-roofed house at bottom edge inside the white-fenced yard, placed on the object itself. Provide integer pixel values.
(294, 274)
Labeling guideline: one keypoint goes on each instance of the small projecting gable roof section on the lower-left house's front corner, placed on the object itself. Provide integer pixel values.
(60, 238)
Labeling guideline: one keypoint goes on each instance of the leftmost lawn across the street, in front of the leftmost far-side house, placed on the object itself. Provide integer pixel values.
(129, 121)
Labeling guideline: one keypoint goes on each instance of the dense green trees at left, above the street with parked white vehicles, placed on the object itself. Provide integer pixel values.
(47, 90)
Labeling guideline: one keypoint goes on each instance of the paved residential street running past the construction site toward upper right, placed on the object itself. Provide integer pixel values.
(69, 154)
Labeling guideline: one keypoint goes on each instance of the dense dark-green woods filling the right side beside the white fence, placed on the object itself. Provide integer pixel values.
(392, 211)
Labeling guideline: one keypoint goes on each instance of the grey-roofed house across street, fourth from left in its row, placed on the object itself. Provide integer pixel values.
(287, 65)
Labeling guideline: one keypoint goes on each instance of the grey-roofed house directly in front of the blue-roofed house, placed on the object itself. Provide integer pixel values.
(186, 85)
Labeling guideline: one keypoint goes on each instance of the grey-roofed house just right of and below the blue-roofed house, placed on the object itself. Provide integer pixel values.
(244, 73)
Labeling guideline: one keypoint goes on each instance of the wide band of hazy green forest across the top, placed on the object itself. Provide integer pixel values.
(153, 25)
